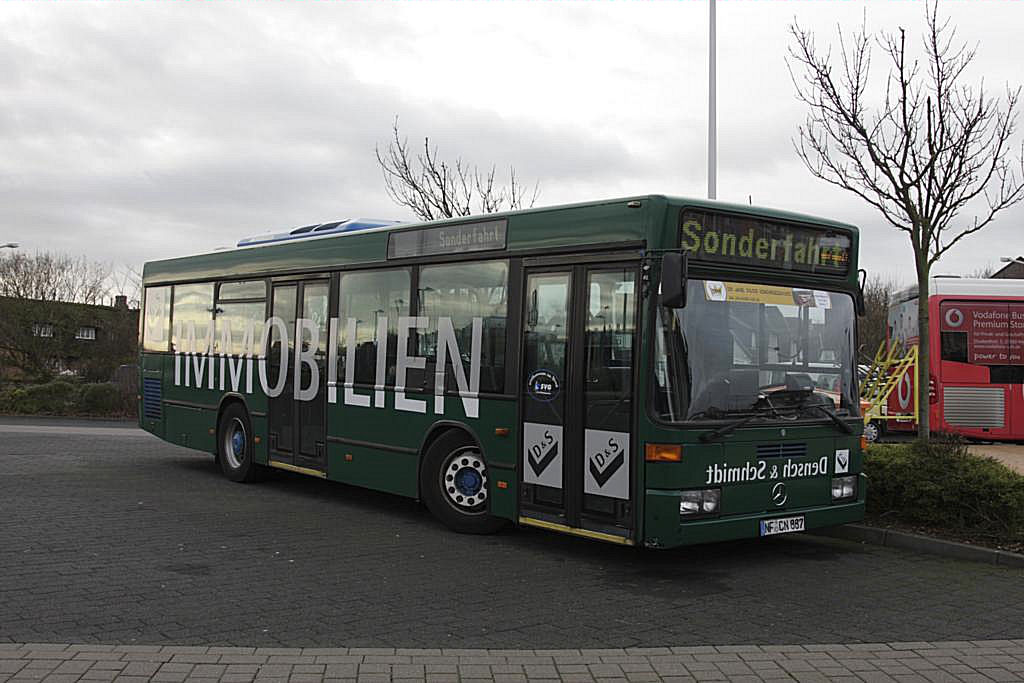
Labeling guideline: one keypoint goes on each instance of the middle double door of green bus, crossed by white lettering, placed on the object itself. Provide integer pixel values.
(297, 415)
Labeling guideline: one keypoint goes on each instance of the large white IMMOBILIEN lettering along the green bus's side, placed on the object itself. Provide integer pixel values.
(198, 355)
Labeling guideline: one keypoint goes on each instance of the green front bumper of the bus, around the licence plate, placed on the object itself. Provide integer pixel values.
(665, 530)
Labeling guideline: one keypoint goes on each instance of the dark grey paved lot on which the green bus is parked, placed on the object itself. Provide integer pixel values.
(110, 536)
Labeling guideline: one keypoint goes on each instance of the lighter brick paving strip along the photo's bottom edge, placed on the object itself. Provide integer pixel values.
(862, 663)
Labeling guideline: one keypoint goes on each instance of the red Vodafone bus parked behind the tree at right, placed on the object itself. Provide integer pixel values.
(977, 358)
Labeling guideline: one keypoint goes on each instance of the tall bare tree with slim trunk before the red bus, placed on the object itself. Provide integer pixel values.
(932, 148)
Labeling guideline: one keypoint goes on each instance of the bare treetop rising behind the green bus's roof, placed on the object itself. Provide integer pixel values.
(434, 188)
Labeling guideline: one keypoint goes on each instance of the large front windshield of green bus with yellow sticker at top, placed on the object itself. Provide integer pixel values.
(739, 348)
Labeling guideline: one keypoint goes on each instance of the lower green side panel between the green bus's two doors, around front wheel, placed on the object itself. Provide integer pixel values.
(363, 457)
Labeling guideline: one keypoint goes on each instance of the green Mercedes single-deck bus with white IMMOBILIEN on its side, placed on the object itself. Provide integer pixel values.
(649, 371)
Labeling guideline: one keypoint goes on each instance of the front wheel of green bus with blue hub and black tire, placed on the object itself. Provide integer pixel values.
(454, 485)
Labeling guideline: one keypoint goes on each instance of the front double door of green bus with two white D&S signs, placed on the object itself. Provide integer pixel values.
(578, 466)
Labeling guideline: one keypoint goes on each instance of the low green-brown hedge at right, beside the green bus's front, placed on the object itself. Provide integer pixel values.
(943, 485)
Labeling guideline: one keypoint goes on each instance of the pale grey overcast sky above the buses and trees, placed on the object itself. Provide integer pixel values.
(137, 132)
